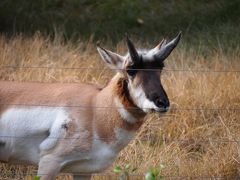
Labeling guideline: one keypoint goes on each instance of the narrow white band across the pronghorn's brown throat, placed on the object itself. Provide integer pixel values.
(124, 112)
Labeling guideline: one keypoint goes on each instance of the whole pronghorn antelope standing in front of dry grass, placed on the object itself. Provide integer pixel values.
(79, 128)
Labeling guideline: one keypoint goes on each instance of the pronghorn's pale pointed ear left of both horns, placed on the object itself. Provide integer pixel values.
(114, 60)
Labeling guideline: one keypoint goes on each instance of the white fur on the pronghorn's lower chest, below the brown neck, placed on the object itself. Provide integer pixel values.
(102, 154)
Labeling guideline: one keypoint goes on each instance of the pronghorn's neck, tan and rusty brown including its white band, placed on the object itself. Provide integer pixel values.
(120, 112)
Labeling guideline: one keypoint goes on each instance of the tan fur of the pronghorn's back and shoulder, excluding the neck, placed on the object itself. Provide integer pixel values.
(79, 129)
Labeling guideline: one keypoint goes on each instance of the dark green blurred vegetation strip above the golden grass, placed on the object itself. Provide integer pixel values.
(210, 21)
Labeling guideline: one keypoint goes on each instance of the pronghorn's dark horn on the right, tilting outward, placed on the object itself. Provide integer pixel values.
(166, 50)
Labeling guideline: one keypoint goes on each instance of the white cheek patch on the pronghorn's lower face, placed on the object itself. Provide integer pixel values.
(139, 97)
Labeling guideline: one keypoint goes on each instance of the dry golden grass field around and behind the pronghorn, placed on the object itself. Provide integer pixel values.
(200, 136)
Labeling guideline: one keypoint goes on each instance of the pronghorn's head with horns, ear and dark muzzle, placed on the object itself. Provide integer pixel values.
(142, 70)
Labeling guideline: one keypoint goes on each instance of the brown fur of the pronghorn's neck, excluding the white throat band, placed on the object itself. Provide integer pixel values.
(108, 119)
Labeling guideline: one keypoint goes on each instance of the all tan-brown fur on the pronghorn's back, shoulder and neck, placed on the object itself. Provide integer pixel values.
(87, 105)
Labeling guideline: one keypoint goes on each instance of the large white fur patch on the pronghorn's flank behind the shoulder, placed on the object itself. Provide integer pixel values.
(27, 130)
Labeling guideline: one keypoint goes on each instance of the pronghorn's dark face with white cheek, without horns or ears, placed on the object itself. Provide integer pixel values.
(145, 86)
